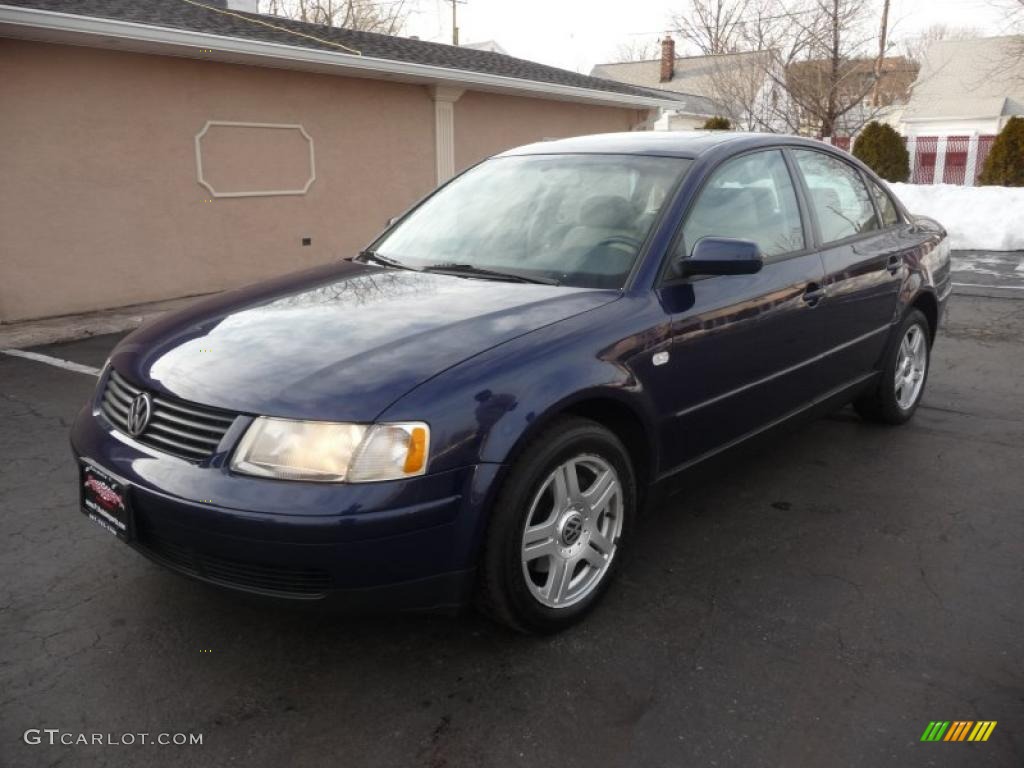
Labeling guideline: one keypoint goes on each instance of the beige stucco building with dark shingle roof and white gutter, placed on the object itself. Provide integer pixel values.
(175, 149)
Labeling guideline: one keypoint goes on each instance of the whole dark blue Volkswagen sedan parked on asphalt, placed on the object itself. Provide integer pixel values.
(475, 409)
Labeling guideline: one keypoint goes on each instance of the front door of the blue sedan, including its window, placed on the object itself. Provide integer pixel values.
(744, 348)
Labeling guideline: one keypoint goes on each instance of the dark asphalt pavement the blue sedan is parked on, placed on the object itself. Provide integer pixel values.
(818, 602)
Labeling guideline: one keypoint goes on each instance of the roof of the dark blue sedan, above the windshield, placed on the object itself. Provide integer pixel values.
(662, 144)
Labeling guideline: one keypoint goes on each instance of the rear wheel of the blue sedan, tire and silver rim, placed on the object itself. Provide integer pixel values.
(892, 401)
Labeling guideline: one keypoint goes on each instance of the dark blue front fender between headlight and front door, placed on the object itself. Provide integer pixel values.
(483, 409)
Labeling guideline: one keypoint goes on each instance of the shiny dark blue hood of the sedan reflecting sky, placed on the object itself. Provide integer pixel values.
(340, 343)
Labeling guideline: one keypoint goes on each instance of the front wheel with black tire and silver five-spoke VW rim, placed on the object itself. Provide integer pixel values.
(575, 535)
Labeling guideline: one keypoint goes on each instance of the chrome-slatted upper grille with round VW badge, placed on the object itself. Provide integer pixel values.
(184, 430)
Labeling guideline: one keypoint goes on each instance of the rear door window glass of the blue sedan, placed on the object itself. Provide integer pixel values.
(839, 198)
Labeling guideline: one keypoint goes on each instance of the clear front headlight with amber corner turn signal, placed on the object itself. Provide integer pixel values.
(332, 453)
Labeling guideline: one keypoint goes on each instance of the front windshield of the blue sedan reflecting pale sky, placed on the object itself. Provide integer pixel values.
(575, 220)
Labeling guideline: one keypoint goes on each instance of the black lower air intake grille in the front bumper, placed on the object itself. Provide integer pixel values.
(280, 581)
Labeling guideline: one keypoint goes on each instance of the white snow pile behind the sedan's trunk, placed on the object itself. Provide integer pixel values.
(978, 219)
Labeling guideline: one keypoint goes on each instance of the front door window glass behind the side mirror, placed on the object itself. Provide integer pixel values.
(749, 198)
